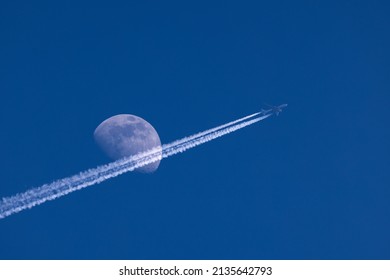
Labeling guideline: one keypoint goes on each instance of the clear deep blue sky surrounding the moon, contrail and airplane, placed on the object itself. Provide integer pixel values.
(312, 183)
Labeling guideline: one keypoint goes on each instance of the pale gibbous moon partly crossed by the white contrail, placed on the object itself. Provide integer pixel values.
(126, 135)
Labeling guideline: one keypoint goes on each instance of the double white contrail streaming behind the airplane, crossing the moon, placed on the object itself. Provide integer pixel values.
(39, 195)
